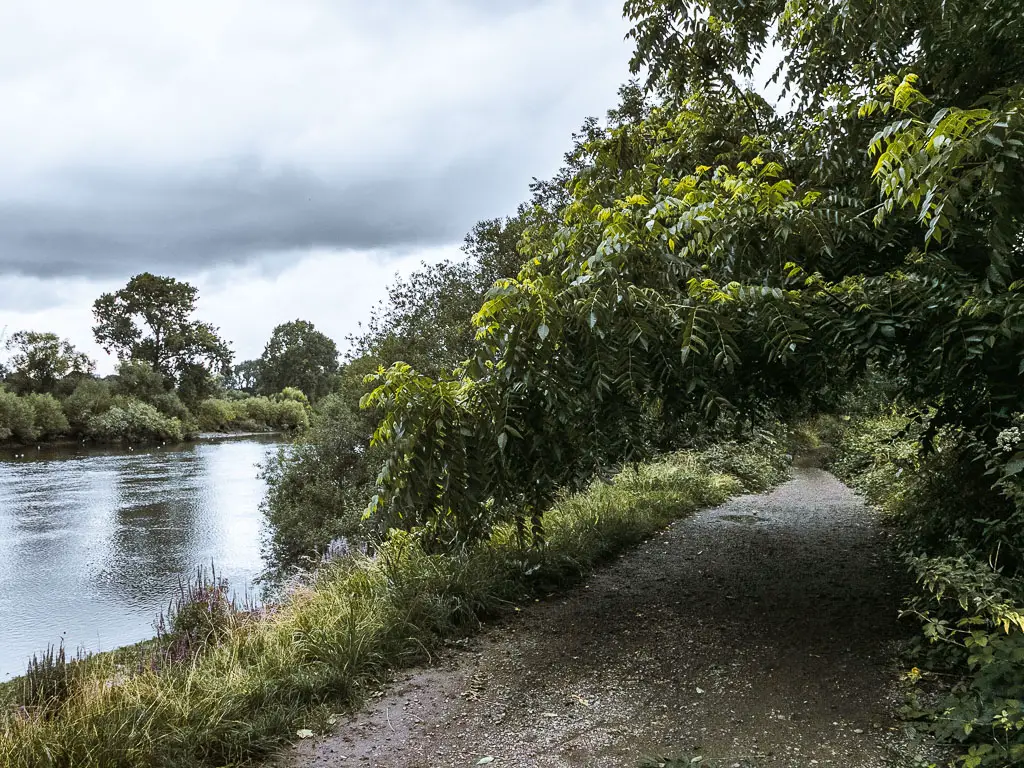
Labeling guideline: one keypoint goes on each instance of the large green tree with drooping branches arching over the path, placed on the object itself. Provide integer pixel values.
(714, 258)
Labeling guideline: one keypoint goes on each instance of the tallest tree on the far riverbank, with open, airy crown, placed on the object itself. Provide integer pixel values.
(150, 320)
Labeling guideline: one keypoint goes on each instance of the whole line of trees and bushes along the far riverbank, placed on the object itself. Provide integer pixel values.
(175, 376)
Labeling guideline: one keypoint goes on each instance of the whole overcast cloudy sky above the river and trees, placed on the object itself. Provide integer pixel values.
(285, 157)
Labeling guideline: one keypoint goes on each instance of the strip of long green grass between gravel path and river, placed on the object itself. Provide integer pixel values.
(240, 699)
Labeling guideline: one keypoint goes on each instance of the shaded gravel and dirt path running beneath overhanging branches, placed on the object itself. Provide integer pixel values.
(756, 634)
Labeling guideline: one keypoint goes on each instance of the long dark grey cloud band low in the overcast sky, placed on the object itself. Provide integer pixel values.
(185, 225)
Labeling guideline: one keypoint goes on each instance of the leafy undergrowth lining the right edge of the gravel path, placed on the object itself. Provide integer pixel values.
(962, 537)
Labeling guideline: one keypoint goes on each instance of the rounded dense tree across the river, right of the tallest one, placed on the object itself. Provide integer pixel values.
(298, 356)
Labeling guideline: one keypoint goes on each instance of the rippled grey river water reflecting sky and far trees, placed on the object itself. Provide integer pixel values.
(94, 542)
